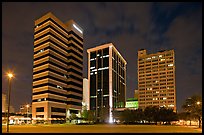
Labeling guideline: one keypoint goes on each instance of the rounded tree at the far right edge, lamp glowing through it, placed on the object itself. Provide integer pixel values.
(193, 105)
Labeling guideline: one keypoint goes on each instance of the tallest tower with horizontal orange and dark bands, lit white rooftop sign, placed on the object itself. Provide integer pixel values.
(57, 68)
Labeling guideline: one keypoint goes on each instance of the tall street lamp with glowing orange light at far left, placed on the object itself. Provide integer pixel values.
(10, 76)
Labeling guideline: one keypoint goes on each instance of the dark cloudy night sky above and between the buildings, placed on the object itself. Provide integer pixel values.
(129, 26)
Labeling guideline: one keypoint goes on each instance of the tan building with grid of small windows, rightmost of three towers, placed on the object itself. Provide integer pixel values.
(156, 79)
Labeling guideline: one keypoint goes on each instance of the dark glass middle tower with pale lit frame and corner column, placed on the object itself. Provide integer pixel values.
(107, 80)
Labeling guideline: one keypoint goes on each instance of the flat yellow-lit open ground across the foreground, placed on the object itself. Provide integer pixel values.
(106, 128)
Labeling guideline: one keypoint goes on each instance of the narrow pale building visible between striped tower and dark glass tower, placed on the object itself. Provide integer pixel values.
(86, 98)
